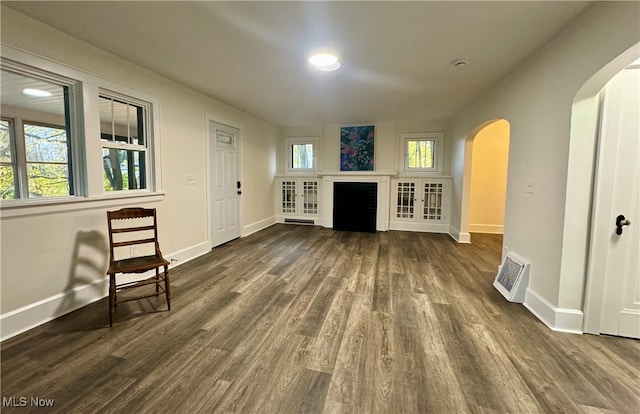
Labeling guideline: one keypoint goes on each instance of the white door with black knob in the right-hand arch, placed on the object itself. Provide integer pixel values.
(617, 244)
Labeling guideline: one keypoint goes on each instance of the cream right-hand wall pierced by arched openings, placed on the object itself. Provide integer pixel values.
(536, 99)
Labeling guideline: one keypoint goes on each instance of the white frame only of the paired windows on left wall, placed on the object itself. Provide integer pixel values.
(86, 143)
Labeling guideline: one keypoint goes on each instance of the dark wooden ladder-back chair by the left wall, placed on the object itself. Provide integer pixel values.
(137, 229)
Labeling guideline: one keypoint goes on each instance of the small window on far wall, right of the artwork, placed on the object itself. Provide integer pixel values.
(422, 152)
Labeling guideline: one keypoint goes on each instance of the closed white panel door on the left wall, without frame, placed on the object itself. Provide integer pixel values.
(225, 189)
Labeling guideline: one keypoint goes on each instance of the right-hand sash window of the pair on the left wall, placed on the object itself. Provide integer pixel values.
(124, 150)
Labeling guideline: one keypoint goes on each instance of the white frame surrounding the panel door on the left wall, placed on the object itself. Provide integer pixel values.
(208, 170)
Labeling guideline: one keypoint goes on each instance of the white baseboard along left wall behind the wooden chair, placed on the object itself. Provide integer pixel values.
(27, 317)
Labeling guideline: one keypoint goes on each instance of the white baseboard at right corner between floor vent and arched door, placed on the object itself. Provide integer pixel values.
(557, 319)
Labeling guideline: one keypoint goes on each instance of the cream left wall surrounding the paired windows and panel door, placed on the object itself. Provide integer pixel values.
(45, 257)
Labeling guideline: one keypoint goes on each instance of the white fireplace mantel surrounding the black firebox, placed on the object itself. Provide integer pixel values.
(382, 178)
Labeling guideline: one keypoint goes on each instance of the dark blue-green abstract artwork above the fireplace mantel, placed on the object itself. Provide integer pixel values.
(357, 148)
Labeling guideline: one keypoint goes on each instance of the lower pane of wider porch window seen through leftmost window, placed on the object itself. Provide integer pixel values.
(47, 180)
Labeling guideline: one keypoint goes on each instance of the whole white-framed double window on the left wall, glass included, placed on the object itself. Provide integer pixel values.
(68, 136)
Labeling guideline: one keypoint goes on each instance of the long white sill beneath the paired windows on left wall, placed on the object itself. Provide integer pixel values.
(37, 207)
